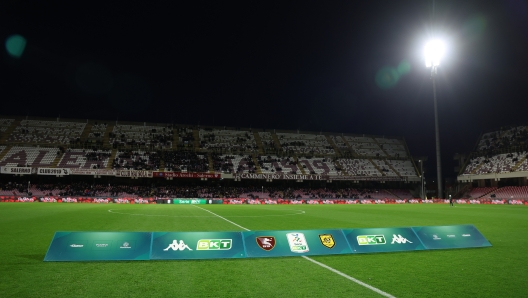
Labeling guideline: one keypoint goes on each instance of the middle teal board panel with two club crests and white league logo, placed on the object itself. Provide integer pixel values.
(295, 243)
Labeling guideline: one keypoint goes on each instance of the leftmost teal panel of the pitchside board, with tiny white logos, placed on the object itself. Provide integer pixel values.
(99, 246)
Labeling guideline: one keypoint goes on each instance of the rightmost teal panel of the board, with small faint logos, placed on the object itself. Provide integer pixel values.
(445, 237)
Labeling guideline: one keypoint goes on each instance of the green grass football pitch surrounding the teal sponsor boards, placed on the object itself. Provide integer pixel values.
(498, 271)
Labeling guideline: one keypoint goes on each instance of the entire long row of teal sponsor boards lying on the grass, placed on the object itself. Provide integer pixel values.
(112, 246)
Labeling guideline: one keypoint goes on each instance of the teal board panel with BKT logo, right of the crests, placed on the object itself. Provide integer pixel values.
(382, 240)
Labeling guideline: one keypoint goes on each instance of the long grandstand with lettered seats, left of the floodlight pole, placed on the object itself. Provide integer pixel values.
(89, 146)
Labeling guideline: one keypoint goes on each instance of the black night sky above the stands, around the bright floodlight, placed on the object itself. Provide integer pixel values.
(335, 66)
